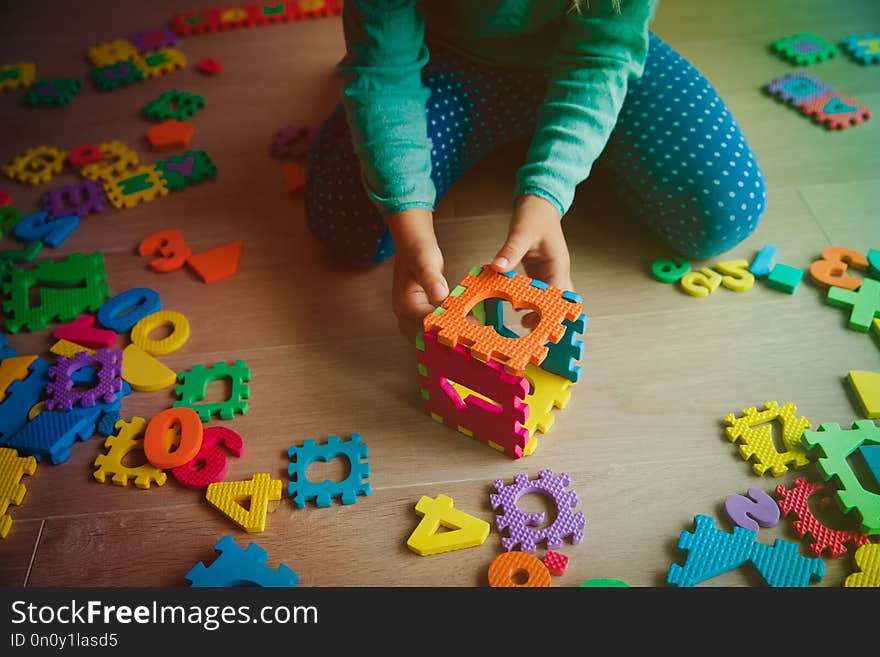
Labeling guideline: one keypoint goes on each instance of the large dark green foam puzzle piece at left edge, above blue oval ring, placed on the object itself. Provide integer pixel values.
(81, 287)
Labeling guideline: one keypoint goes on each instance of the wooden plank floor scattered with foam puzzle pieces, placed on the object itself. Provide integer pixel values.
(642, 437)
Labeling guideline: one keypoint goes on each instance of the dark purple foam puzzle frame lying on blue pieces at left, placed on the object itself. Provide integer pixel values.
(62, 396)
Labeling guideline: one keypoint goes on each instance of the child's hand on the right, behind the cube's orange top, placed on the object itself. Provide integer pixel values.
(535, 238)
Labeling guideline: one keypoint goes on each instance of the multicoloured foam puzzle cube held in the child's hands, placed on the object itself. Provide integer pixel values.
(478, 377)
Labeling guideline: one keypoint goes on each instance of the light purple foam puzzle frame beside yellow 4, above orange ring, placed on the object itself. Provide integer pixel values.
(521, 526)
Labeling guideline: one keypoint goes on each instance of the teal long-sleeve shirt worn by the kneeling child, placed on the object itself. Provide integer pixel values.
(591, 52)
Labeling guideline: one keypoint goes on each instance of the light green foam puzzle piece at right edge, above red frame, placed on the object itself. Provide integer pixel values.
(834, 445)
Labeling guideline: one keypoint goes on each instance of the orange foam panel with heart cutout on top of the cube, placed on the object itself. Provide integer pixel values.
(452, 327)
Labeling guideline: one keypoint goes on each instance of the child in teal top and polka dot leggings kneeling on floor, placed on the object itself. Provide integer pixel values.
(431, 87)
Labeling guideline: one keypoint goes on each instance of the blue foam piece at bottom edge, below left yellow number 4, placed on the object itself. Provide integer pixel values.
(237, 567)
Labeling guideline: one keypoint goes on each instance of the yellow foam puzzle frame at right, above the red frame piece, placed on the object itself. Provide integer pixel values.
(753, 430)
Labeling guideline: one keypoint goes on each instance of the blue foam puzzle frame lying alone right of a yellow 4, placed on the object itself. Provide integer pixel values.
(302, 490)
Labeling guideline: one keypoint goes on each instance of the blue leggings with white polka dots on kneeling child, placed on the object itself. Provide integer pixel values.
(676, 153)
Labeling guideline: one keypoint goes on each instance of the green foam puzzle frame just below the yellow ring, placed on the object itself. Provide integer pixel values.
(194, 386)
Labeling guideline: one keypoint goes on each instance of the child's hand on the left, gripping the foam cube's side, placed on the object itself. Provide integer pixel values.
(419, 284)
